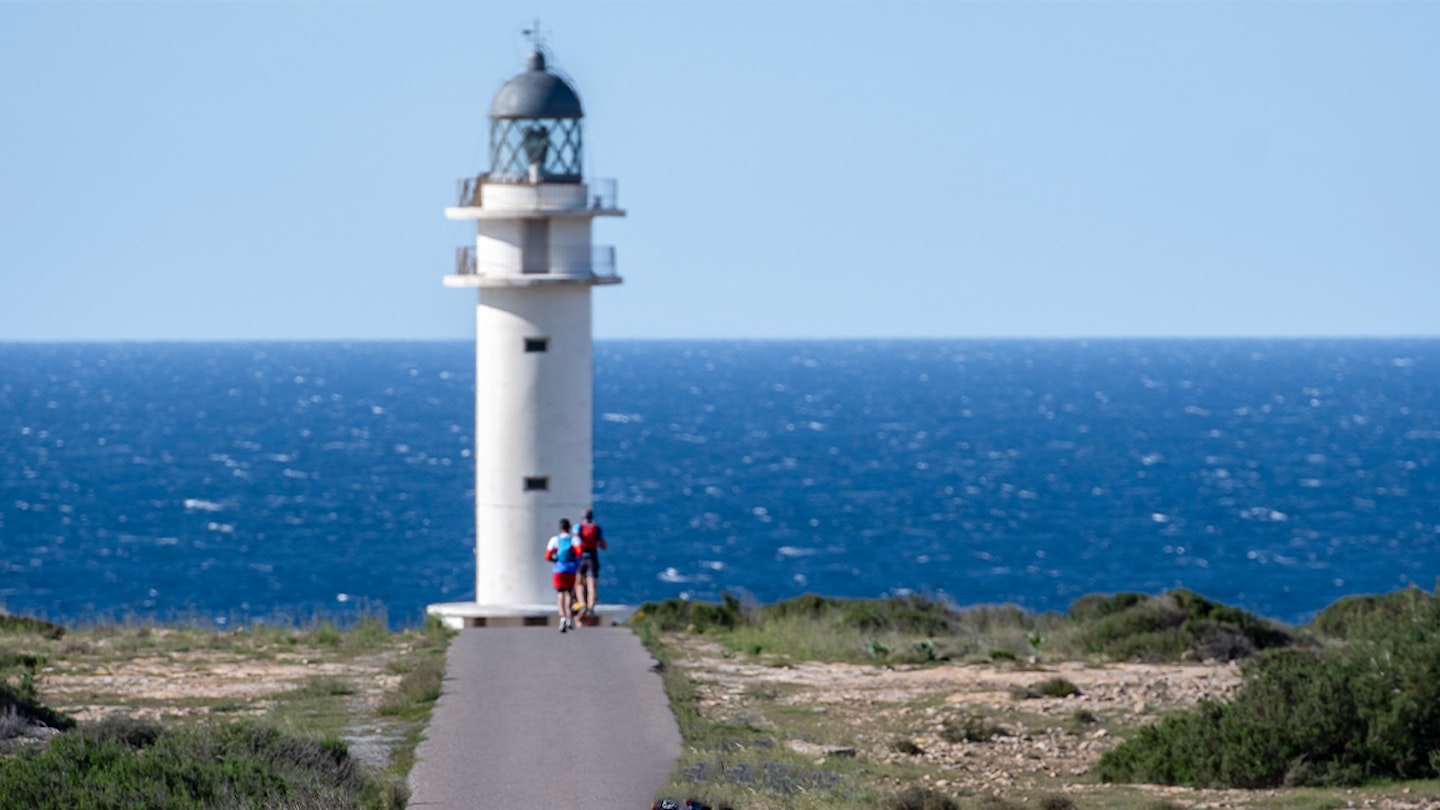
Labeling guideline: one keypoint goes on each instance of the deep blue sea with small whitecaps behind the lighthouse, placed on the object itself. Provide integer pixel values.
(238, 482)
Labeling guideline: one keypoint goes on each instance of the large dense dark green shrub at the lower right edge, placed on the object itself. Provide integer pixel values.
(1366, 711)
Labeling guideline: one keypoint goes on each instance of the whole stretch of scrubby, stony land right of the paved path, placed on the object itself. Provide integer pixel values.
(911, 703)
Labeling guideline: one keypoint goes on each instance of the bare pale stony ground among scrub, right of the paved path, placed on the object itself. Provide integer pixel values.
(1023, 743)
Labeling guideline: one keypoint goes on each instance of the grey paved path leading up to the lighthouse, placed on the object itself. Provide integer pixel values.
(521, 726)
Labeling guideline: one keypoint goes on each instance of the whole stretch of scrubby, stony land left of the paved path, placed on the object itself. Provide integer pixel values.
(178, 716)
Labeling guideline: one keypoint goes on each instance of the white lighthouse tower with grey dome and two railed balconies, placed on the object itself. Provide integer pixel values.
(534, 264)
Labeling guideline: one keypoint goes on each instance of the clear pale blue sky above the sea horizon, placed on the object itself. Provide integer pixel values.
(280, 171)
